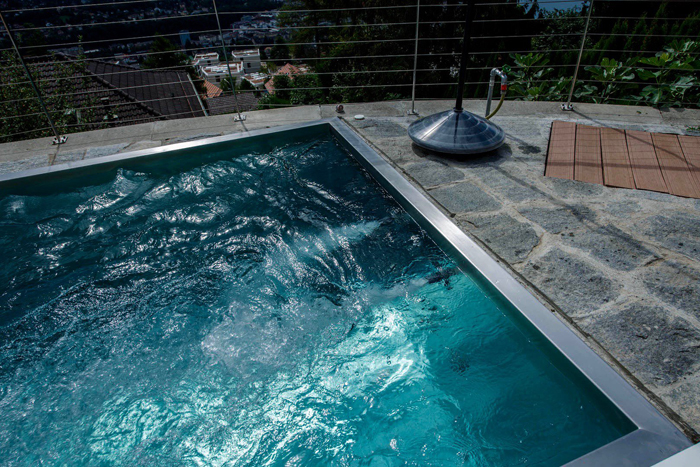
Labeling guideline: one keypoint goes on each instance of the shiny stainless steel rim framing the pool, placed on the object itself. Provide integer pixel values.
(655, 438)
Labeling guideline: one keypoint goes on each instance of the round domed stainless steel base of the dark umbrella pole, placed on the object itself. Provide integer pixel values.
(456, 132)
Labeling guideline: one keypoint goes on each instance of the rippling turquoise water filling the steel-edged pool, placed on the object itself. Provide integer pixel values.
(265, 308)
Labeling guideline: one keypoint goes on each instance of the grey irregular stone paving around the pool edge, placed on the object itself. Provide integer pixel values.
(621, 267)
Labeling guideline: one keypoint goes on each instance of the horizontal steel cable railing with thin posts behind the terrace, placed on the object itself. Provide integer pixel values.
(331, 55)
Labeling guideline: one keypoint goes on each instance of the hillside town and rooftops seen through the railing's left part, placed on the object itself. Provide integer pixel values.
(121, 66)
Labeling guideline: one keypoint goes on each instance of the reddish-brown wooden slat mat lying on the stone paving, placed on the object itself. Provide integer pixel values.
(626, 159)
